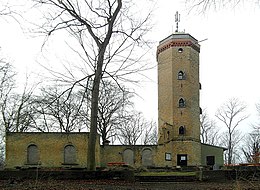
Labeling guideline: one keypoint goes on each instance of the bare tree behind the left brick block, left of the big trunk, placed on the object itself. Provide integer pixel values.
(59, 113)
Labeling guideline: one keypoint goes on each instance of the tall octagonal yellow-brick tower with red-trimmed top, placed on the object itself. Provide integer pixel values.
(178, 98)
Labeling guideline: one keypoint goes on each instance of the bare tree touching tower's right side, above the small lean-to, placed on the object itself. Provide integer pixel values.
(209, 133)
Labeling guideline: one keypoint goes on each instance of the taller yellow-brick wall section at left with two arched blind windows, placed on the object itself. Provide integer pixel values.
(50, 146)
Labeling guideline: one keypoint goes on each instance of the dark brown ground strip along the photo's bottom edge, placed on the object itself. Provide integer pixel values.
(111, 185)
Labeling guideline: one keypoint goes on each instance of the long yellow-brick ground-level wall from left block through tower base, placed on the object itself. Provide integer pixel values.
(51, 149)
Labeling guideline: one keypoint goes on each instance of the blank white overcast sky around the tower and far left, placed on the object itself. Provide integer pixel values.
(229, 59)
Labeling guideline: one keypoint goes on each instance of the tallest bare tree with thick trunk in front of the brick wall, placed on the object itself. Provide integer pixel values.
(111, 33)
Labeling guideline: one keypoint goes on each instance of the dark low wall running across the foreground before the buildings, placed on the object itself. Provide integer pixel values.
(128, 175)
